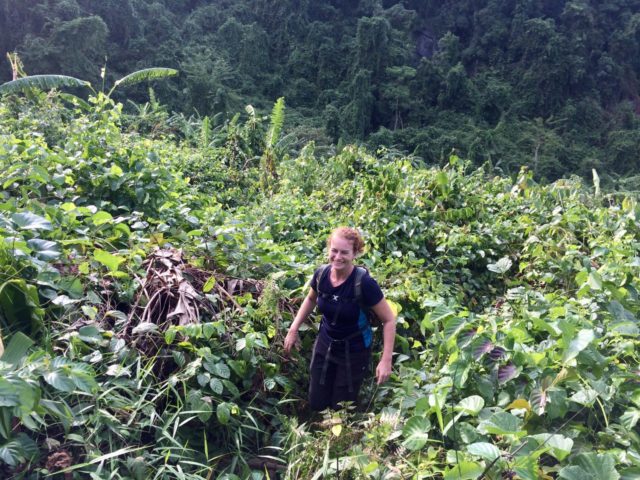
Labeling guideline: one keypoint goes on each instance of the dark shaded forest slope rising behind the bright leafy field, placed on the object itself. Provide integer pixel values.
(548, 83)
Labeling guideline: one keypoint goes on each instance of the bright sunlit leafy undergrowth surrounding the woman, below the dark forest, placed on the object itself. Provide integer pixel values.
(147, 283)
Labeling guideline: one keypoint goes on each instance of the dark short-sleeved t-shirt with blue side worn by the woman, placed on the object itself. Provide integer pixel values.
(342, 317)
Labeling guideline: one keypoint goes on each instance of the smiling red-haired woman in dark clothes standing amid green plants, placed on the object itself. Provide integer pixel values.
(342, 350)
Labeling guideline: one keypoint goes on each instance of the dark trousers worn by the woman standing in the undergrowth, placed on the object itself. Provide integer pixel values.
(335, 387)
